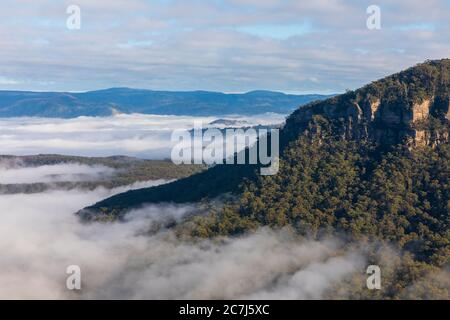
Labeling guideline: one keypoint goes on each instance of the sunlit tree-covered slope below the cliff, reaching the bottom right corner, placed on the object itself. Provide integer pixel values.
(393, 203)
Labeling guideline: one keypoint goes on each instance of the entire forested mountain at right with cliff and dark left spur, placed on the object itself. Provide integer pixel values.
(335, 181)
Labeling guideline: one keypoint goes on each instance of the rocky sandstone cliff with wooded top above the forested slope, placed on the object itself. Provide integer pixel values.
(396, 109)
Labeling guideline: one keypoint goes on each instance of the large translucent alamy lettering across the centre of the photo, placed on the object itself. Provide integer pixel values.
(227, 146)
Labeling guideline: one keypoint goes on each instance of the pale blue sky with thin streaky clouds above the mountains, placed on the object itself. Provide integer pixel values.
(299, 46)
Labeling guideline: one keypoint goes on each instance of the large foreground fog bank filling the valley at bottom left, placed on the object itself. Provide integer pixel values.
(40, 237)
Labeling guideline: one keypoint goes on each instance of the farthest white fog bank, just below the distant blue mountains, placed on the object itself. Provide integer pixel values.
(145, 136)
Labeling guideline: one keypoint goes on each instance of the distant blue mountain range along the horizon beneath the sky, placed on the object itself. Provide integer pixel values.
(125, 100)
